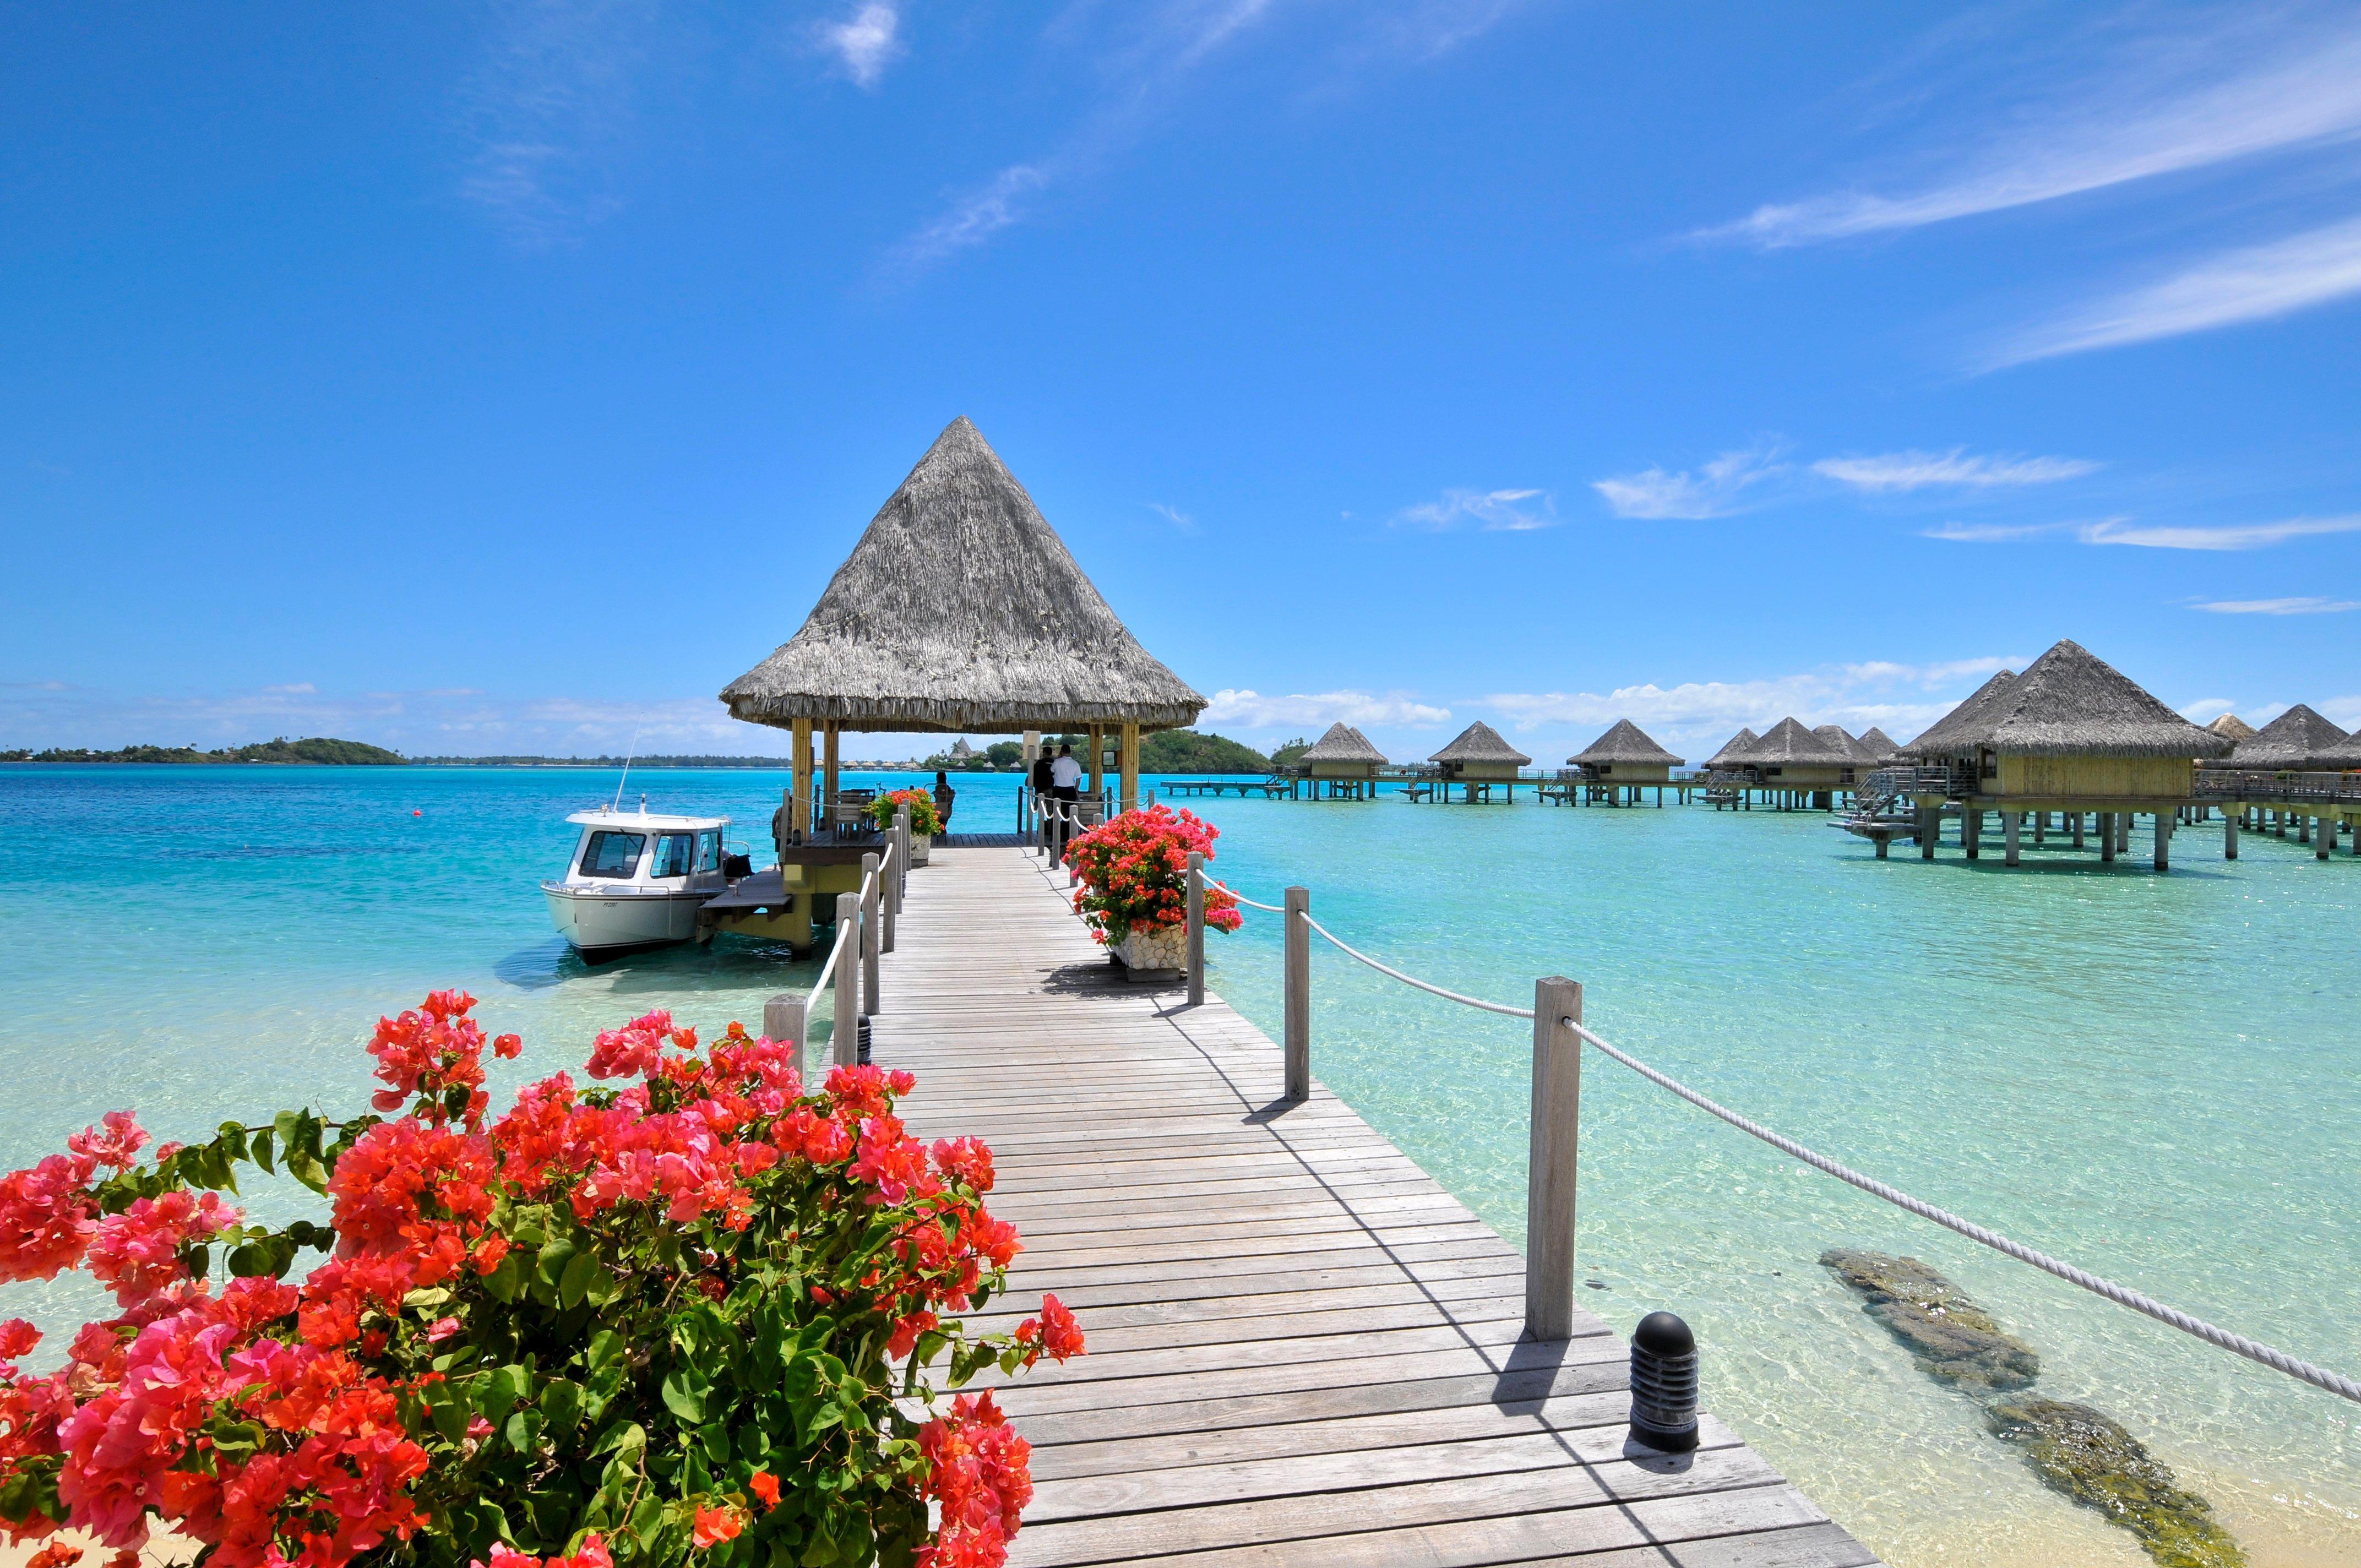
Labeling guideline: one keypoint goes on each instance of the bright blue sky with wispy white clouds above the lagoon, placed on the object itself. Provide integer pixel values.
(485, 379)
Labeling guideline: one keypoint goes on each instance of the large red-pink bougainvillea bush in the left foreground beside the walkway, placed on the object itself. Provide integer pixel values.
(684, 1314)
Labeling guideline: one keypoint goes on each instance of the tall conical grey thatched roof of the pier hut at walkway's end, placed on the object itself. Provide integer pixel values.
(962, 610)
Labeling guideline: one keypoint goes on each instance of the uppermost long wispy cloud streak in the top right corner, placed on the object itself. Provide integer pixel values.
(2258, 86)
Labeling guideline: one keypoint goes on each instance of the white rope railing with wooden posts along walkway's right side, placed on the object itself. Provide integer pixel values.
(1555, 1135)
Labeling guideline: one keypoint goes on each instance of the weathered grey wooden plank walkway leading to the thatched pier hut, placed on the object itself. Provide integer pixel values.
(1302, 1350)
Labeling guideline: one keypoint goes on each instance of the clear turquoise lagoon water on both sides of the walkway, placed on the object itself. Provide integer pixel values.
(2152, 1076)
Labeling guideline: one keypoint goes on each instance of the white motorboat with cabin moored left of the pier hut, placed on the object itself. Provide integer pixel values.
(636, 880)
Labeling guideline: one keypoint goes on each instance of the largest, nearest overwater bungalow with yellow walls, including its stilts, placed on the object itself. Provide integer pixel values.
(2069, 736)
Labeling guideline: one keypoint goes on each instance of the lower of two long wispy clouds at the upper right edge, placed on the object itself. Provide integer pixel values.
(2254, 285)
